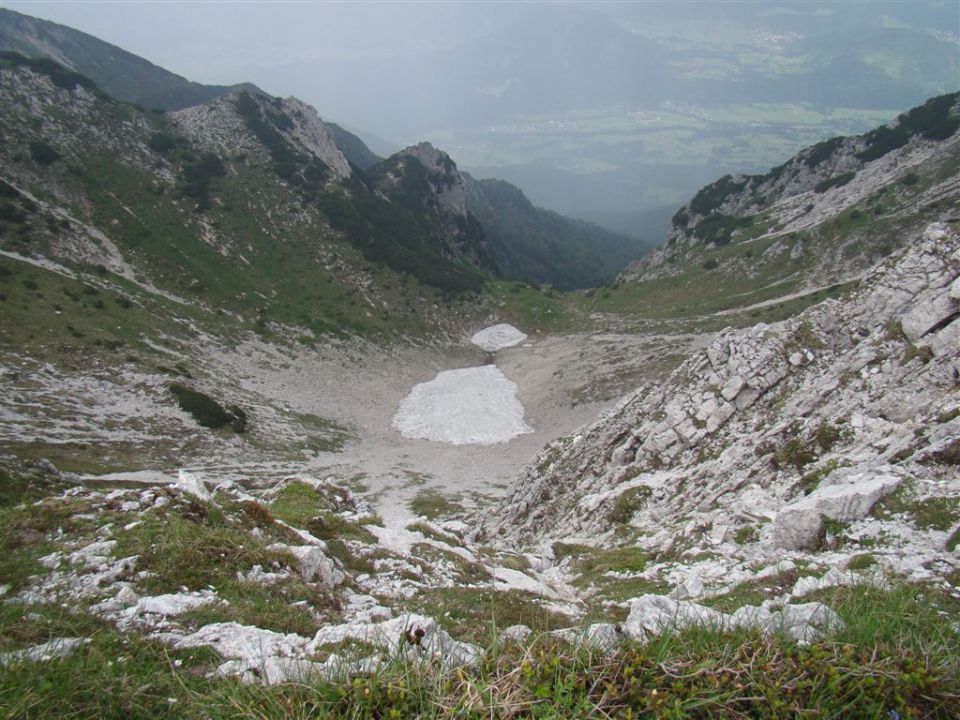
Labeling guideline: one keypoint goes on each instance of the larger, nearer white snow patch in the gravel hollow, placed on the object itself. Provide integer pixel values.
(471, 406)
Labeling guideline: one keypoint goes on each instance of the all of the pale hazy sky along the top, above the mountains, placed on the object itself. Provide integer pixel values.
(228, 42)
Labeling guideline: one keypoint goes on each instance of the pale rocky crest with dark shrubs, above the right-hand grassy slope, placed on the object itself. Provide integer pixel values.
(817, 185)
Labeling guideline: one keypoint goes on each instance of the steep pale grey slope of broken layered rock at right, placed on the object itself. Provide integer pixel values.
(775, 432)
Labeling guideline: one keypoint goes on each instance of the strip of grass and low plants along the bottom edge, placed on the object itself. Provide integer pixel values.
(696, 674)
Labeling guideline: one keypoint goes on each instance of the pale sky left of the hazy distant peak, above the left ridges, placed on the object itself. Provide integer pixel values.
(224, 42)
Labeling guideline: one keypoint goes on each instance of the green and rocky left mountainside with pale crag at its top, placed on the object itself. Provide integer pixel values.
(190, 204)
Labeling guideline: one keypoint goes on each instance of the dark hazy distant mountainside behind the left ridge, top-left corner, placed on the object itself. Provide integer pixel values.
(119, 73)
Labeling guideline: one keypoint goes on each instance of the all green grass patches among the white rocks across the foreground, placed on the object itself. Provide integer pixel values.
(896, 652)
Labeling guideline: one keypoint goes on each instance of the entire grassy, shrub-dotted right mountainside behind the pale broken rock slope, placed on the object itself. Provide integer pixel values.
(746, 244)
